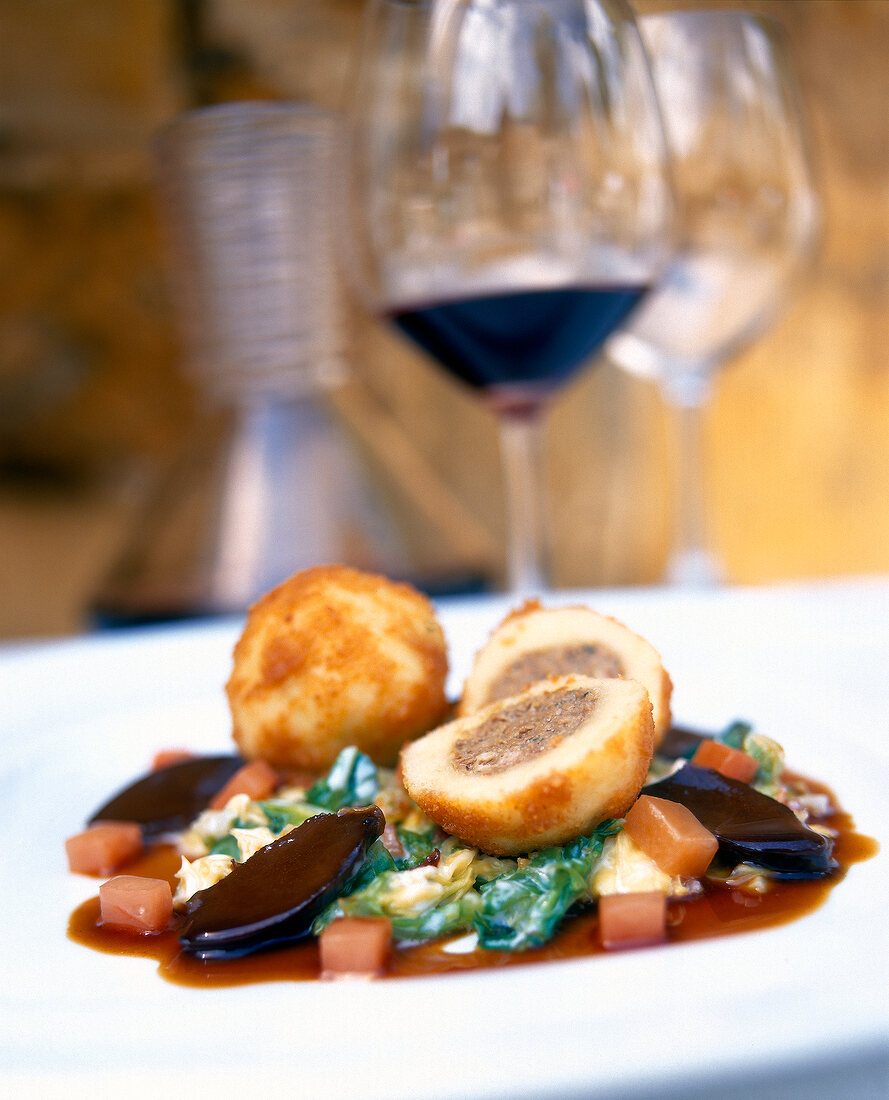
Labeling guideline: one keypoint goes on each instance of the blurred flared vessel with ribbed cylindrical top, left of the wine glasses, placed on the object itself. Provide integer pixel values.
(270, 485)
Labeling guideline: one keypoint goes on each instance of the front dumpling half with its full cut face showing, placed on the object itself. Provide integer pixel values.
(539, 768)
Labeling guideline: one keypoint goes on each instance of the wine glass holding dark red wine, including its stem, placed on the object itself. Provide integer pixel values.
(510, 203)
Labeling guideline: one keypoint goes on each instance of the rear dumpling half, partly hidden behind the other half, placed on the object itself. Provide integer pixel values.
(535, 643)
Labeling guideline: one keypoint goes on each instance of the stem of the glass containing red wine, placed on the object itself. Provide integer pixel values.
(521, 436)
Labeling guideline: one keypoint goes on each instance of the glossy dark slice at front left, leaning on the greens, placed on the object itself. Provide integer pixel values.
(273, 897)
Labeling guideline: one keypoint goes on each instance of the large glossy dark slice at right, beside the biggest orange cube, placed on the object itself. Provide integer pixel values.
(751, 827)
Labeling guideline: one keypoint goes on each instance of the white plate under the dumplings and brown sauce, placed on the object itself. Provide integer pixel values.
(781, 1013)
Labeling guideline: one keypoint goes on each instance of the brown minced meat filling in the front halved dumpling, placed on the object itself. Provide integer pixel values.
(519, 733)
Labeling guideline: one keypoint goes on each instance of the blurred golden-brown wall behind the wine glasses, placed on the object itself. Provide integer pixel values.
(94, 401)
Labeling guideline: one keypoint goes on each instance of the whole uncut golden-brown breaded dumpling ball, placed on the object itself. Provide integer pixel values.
(335, 657)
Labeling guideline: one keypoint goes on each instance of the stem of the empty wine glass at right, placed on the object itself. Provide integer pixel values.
(692, 562)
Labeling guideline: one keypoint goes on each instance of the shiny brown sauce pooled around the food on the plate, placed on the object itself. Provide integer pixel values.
(720, 911)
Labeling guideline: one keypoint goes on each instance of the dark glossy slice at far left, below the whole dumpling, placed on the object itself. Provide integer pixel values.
(170, 799)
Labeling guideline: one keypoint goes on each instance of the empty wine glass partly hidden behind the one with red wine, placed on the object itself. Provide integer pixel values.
(750, 217)
